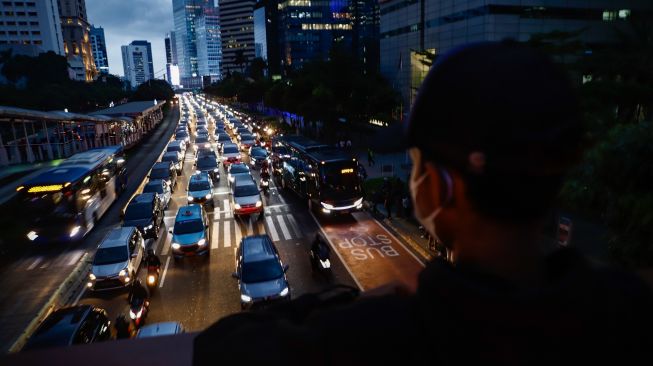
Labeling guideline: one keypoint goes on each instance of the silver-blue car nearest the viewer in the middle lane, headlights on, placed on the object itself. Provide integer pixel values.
(260, 272)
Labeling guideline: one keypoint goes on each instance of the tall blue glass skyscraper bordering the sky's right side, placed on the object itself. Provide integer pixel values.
(185, 14)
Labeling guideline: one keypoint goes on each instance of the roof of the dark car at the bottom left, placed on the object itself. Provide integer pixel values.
(59, 328)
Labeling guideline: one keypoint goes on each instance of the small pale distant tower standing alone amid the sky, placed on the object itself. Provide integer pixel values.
(137, 62)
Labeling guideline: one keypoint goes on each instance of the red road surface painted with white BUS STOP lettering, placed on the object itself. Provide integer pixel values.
(372, 254)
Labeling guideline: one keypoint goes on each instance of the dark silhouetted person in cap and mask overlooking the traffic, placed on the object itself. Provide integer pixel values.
(493, 131)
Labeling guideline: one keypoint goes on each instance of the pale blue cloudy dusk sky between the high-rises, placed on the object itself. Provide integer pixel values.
(127, 20)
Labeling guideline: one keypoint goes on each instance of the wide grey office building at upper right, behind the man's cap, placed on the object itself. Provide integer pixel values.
(413, 30)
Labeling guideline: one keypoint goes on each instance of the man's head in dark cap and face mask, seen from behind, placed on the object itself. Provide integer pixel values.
(493, 130)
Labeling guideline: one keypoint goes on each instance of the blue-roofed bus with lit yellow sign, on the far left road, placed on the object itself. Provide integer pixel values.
(65, 202)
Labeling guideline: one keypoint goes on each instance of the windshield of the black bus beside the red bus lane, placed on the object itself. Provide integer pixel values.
(340, 179)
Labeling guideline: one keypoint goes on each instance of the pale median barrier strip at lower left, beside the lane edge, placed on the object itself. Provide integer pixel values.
(64, 295)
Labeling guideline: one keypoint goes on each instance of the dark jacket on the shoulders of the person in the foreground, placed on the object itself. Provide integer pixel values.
(583, 315)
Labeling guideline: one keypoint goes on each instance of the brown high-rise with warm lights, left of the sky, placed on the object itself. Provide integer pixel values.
(77, 45)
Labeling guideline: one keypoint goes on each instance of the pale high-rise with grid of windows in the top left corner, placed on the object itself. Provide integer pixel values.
(30, 27)
